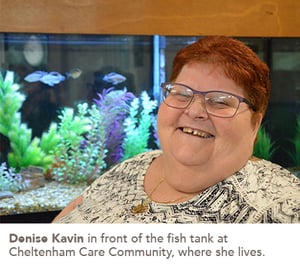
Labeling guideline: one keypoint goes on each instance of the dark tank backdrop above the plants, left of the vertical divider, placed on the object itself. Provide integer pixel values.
(94, 56)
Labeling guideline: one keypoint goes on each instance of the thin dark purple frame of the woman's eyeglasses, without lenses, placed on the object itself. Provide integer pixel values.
(196, 92)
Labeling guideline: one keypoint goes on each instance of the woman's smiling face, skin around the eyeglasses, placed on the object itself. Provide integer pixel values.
(191, 137)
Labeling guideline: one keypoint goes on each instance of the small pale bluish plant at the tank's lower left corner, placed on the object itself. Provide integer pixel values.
(10, 180)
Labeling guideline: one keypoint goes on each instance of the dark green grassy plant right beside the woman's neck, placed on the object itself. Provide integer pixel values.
(264, 147)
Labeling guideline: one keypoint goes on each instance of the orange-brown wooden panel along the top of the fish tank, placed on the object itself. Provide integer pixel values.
(261, 18)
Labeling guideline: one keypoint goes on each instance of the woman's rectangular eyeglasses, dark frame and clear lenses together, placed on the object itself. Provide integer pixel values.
(217, 103)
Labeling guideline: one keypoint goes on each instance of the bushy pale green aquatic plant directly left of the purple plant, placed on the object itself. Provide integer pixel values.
(80, 151)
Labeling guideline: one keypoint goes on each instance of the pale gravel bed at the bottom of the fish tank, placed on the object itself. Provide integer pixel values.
(51, 197)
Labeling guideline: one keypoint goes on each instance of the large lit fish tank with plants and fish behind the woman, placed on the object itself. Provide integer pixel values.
(72, 106)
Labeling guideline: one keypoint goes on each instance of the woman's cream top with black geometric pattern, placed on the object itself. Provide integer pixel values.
(261, 192)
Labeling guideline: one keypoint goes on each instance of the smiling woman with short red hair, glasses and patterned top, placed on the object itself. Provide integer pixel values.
(205, 172)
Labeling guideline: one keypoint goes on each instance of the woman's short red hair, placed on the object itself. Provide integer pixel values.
(238, 62)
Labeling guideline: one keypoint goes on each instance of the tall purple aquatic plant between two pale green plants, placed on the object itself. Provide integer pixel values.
(115, 105)
